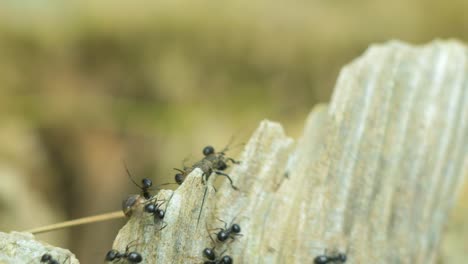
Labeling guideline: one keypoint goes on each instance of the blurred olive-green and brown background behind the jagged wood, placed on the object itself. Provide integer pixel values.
(84, 86)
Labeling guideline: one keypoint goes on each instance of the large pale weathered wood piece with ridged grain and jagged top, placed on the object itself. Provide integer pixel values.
(374, 175)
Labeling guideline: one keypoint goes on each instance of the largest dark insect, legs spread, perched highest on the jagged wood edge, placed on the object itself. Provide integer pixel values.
(212, 162)
